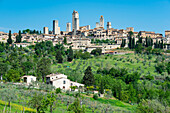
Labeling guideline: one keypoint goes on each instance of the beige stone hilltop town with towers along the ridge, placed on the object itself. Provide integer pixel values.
(84, 38)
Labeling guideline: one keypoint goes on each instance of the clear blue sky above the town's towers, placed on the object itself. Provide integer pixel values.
(148, 15)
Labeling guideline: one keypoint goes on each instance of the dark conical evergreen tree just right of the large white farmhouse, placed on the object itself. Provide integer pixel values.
(88, 78)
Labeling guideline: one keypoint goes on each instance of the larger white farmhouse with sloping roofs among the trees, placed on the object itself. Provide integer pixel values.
(61, 81)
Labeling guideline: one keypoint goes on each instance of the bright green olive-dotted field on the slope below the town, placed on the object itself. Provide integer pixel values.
(143, 64)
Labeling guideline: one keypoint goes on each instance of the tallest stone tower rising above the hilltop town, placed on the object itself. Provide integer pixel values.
(75, 20)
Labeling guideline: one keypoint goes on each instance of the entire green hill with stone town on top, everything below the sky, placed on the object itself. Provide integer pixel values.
(84, 70)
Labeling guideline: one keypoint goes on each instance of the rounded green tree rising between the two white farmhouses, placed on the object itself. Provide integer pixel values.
(43, 67)
